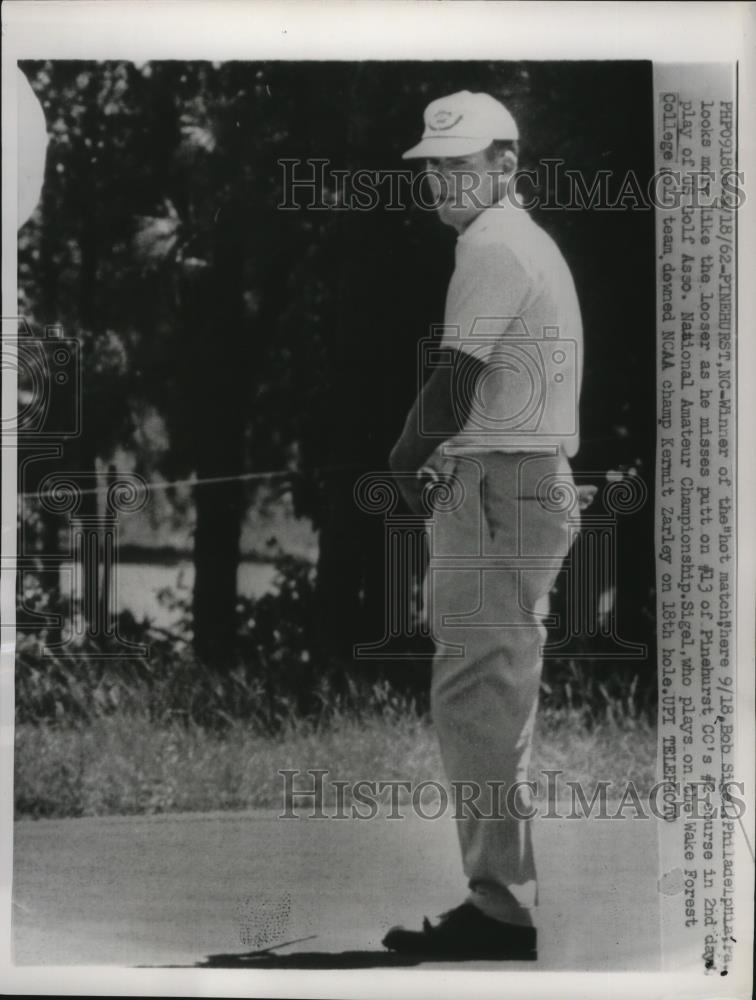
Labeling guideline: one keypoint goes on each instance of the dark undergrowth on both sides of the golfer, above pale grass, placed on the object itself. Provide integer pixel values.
(280, 674)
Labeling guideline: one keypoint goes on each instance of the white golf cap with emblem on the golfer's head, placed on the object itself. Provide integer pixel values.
(462, 123)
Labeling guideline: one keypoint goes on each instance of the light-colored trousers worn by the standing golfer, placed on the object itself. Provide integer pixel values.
(493, 560)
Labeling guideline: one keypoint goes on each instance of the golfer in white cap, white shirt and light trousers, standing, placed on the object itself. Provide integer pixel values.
(498, 419)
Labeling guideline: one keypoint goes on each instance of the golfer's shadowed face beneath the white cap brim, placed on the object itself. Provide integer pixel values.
(463, 186)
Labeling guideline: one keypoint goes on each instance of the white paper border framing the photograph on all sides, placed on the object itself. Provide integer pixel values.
(396, 29)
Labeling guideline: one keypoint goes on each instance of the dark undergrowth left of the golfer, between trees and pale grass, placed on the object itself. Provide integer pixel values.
(278, 673)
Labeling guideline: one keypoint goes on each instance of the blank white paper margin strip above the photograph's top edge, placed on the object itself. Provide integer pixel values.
(372, 29)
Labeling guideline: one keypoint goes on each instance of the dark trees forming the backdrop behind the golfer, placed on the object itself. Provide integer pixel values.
(272, 339)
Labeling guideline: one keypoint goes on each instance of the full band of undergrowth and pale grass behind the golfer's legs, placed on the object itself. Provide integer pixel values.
(102, 734)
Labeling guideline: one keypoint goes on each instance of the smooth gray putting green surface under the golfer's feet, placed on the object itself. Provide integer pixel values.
(249, 889)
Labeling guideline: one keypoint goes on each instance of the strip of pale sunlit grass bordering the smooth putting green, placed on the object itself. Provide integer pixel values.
(123, 763)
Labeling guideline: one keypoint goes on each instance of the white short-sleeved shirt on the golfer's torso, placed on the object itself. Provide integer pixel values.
(512, 304)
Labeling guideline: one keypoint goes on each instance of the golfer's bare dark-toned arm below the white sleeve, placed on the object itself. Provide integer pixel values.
(444, 410)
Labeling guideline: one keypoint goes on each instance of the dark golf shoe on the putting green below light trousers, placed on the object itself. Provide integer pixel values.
(465, 933)
